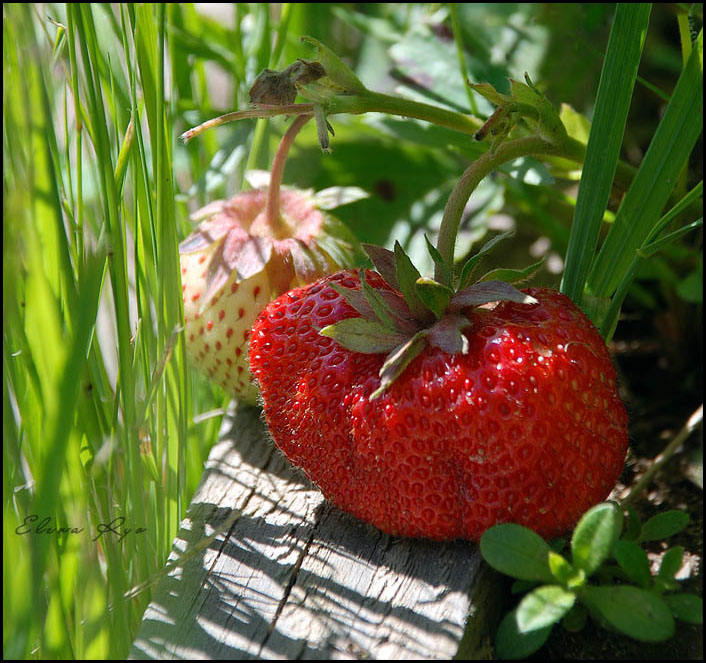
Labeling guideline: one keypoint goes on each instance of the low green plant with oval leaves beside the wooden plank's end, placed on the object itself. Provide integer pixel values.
(607, 576)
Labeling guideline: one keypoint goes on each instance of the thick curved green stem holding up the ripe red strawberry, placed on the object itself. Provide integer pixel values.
(453, 212)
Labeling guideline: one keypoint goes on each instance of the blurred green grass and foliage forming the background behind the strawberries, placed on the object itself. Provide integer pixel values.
(102, 418)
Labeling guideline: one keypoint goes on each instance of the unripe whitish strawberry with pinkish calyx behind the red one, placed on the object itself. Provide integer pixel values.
(237, 261)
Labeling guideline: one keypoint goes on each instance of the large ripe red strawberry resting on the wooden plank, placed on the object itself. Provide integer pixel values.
(508, 414)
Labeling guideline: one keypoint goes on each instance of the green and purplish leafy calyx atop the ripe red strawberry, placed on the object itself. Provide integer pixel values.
(405, 313)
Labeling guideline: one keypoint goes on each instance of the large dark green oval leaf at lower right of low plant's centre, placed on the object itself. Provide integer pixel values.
(636, 612)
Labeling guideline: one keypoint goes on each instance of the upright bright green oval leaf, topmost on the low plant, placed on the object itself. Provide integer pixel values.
(594, 536)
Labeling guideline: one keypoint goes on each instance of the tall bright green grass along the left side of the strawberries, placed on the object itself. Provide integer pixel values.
(98, 405)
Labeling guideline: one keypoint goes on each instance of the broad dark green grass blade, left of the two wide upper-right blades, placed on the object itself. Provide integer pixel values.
(613, 102)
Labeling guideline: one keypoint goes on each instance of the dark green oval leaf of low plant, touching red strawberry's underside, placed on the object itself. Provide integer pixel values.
(516, 551)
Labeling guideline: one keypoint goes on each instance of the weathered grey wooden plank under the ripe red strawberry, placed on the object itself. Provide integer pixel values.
(294, 577)
